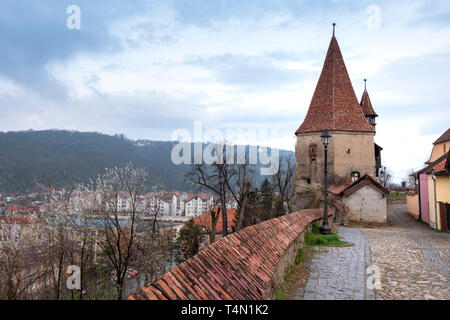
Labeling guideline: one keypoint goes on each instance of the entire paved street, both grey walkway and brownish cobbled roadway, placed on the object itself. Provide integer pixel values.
(413, 260)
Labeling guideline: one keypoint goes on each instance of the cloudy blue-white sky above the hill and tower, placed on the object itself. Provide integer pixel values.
(146, 68)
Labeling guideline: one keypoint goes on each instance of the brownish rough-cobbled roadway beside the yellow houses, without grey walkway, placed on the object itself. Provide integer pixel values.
(412, 257)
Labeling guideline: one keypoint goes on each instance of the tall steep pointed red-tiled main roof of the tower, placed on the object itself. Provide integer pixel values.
(334, 105)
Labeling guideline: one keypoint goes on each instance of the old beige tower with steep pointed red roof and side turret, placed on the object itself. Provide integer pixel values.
(352, 152)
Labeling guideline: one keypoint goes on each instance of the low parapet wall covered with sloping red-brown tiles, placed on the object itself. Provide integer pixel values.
(247, 264)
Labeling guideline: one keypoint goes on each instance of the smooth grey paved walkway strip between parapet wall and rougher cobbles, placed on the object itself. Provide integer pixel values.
(337, 273)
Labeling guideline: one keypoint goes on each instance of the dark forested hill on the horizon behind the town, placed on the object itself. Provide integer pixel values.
(28, 158)
